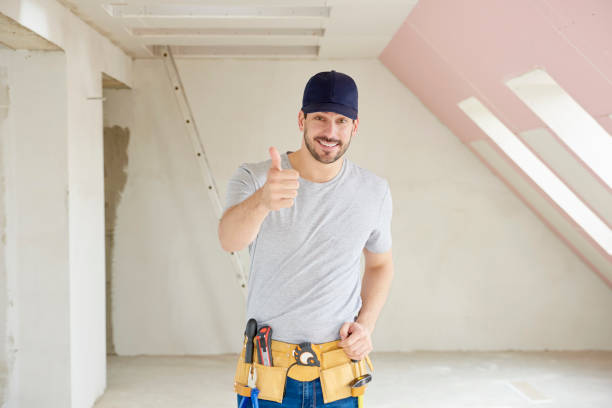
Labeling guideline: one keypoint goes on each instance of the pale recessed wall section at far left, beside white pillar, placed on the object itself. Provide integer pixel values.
(34, 150)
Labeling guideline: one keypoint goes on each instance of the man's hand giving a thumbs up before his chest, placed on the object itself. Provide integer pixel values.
(281, 186)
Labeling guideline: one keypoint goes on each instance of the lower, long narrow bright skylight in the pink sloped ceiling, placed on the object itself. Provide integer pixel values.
(538, 172)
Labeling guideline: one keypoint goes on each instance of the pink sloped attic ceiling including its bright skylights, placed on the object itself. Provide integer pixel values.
(532, 101)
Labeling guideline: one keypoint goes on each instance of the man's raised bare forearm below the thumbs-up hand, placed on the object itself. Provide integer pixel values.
(240, 224)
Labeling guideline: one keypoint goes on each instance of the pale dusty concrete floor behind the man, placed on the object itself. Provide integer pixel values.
(418, 379)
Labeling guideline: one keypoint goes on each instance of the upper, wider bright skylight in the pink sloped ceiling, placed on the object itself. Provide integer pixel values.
(578, 130)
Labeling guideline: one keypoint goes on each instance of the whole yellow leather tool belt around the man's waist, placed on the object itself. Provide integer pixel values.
(335, 369)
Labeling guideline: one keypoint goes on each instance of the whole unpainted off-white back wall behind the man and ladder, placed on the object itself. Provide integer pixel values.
(475, 269)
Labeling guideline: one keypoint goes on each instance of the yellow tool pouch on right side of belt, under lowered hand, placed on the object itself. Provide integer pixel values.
(337, 372)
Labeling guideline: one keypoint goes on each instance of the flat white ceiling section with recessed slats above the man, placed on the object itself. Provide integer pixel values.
(240, 28)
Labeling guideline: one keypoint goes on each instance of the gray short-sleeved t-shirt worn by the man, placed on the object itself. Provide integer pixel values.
(304, 279)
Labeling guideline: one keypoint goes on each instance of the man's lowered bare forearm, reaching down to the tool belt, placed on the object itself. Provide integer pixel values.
(374, 291)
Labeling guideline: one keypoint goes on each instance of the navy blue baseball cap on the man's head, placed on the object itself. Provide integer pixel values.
(331, 92)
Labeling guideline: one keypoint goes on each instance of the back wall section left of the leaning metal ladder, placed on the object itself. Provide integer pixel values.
(173, 288)
